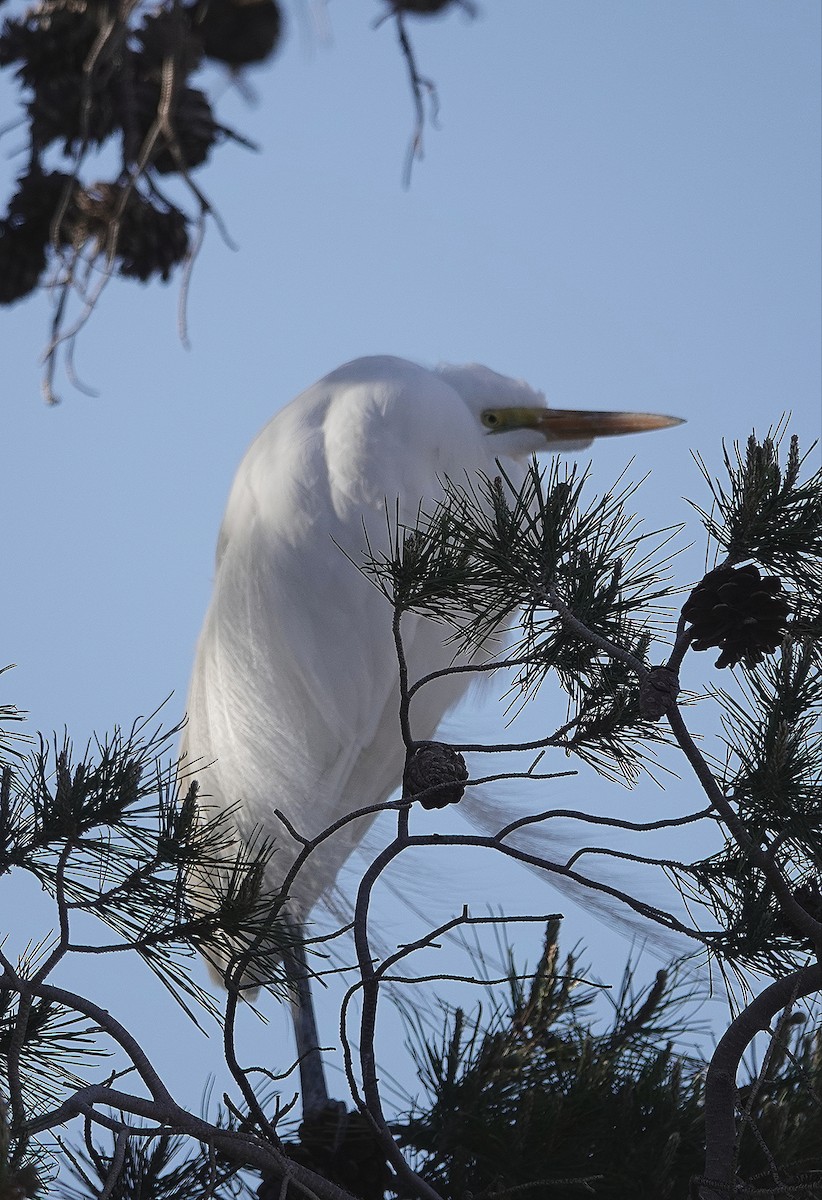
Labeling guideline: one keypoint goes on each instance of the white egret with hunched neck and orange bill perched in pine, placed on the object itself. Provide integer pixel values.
(295, 693)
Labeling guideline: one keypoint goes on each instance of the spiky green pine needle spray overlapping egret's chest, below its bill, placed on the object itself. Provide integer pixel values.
(493, 555)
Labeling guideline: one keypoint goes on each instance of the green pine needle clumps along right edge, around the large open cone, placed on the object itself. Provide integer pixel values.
(772, 713)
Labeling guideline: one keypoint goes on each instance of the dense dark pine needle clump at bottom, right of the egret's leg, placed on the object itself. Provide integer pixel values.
(530, 1096)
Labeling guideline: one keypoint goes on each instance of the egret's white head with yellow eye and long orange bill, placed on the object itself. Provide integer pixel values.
(515, 413)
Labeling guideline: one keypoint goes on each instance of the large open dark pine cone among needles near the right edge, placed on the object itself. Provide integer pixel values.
(739, 611)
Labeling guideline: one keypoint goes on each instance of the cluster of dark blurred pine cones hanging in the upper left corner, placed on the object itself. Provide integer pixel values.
(92, 76)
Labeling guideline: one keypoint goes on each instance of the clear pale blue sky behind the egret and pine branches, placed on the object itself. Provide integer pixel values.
(621, 205)
